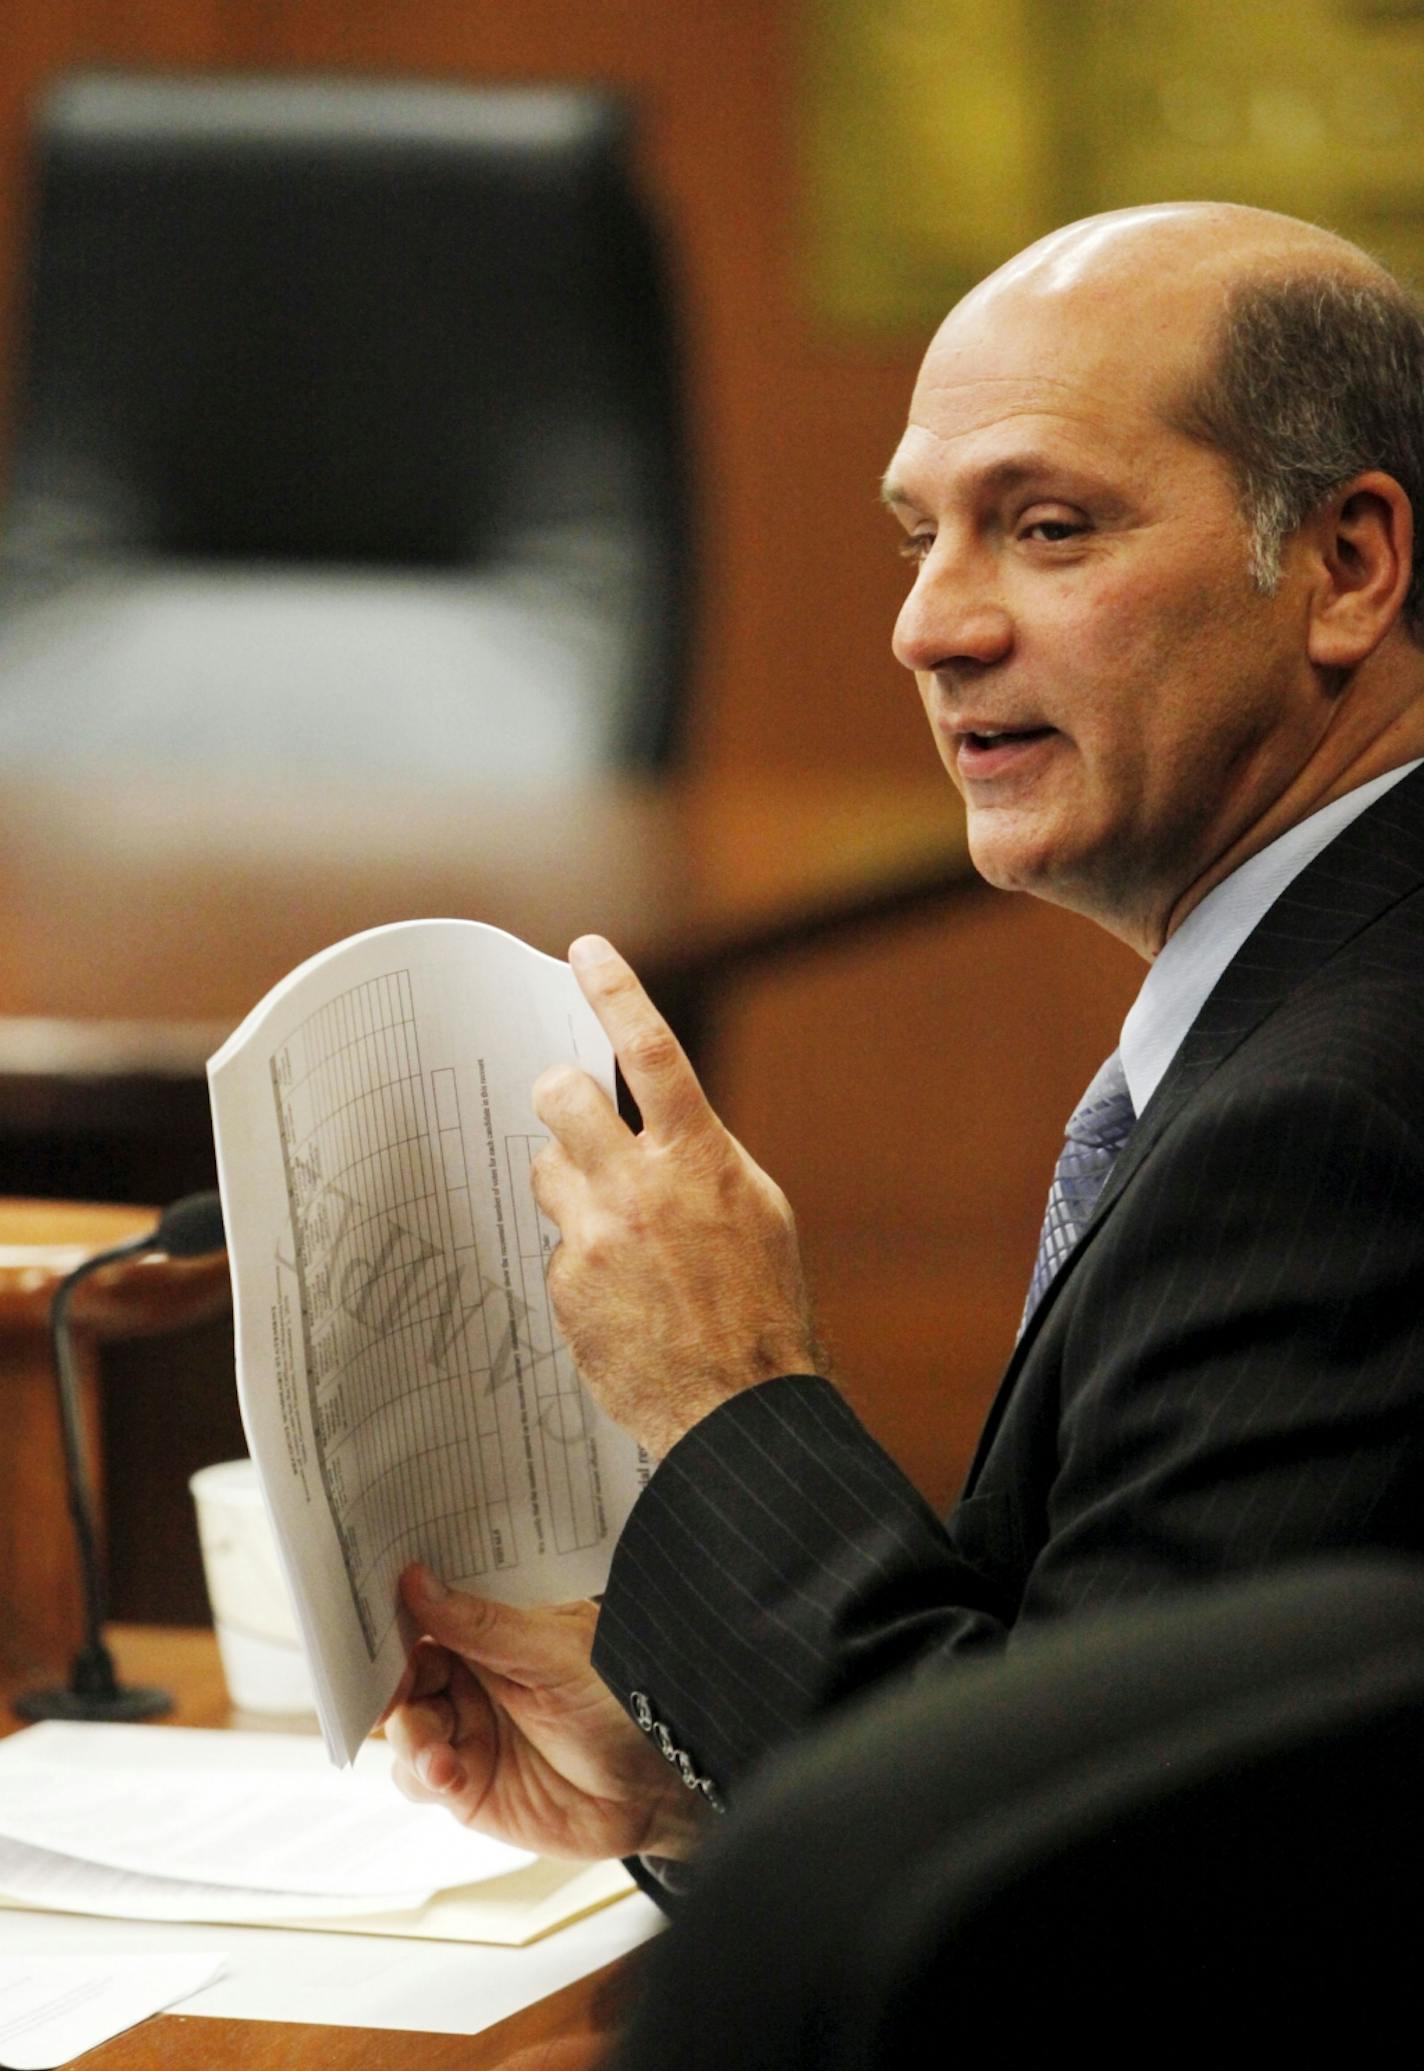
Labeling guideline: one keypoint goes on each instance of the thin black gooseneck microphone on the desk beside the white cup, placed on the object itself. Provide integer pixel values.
(187, 1231)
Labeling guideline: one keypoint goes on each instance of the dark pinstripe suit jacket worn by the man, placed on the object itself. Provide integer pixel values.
(1226, 1374)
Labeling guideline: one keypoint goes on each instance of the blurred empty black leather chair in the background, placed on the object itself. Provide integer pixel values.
(349, 434)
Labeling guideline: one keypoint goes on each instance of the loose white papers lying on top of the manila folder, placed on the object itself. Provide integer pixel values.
(183, 1805)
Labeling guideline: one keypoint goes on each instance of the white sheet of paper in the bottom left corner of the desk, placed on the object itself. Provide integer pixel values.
(57, 2008)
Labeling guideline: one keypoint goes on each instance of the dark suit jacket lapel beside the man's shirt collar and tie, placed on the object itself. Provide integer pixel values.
(1361, 875)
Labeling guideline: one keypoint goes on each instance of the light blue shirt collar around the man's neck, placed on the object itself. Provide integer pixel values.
(1195, 958)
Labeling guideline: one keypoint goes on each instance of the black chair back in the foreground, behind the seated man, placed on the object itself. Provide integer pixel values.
(1141, 1838)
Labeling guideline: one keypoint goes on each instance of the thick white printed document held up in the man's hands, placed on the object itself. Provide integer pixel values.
(403, 1384)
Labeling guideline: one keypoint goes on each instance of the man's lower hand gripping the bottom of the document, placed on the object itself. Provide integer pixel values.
(502, 1720)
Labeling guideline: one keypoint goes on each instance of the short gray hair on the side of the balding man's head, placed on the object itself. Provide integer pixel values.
(1317, 378)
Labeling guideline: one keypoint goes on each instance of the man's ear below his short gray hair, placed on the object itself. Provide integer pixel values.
(1365, 546)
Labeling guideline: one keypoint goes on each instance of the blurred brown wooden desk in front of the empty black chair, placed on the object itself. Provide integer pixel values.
(140, 921)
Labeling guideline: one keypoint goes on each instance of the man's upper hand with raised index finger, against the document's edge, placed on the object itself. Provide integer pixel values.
(678, 1281)
